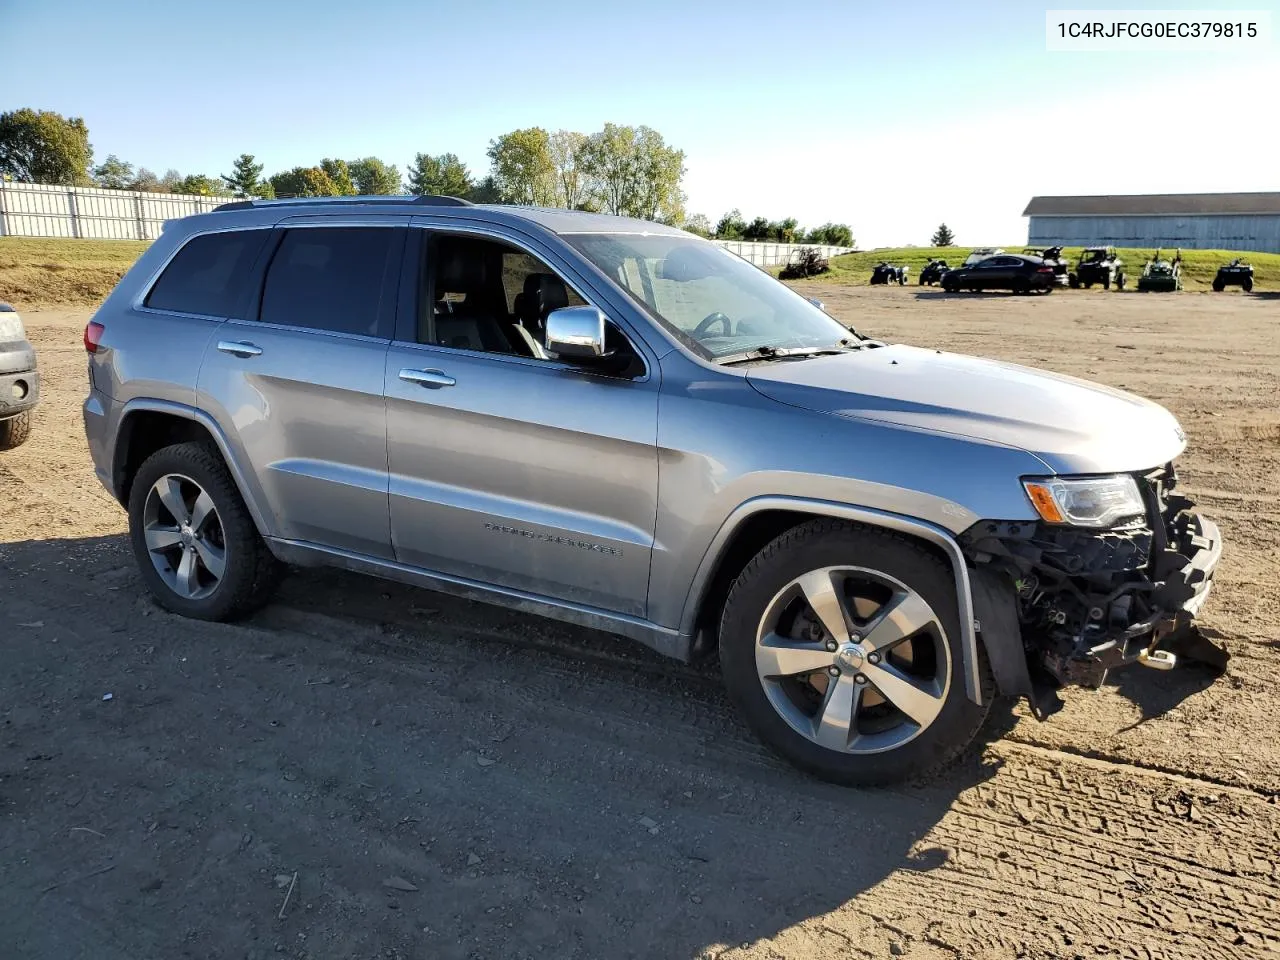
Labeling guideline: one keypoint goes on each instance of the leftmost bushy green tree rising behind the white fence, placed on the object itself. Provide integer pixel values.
(42, 147)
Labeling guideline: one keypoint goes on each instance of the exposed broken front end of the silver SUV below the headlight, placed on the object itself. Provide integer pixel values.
(1062, 605)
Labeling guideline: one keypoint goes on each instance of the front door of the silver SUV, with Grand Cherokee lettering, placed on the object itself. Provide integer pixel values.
(508, 467)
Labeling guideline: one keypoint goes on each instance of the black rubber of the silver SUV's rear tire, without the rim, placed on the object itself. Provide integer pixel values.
(252, 572)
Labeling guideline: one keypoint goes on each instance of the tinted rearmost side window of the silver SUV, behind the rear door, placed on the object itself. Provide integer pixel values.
(209, 275)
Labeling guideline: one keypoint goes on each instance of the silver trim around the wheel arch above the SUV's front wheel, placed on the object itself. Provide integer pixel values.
(898, 523)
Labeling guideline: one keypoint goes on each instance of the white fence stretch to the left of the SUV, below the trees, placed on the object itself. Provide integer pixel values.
(42, 211)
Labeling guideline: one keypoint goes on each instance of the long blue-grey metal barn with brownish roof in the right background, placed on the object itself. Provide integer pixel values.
(1247, 222)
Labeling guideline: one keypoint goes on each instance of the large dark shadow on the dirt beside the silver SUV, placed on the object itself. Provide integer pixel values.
(433, 769)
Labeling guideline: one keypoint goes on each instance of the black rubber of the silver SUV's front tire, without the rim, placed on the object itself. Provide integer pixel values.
(822, 543)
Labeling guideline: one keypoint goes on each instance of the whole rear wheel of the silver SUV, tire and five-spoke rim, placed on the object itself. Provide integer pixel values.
(195, 542)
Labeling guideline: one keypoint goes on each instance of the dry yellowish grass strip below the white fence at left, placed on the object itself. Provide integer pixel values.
(57, 271)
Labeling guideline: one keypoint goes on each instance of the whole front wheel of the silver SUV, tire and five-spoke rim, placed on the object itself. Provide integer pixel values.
(842, 648)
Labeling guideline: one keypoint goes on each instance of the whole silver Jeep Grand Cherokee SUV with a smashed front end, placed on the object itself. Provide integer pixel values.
(619, 424)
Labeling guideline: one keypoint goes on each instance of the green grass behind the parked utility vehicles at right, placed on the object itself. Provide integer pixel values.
(1199, 266)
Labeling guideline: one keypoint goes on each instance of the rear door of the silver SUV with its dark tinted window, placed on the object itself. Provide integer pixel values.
(300, 382)
